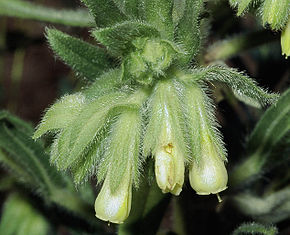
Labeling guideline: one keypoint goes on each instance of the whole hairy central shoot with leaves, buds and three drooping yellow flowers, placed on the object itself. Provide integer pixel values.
(144, 99)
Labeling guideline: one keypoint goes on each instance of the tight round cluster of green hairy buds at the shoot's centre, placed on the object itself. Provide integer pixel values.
(149, 60)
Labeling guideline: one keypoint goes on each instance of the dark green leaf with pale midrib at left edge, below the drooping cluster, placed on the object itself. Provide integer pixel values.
(21, 152)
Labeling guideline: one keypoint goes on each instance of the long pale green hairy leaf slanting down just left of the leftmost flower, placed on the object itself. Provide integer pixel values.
(85, 128)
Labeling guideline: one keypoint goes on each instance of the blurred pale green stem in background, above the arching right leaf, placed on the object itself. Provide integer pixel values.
(226, 49)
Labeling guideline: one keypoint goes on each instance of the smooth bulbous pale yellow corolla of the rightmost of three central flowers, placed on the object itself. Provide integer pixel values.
(208, 174)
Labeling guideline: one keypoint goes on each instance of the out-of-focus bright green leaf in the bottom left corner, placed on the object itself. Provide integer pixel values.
(19, 217)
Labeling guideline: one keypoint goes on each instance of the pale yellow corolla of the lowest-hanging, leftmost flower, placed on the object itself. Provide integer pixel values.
(114, 206)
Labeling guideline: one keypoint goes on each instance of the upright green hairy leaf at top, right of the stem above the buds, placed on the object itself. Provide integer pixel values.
(188, 30)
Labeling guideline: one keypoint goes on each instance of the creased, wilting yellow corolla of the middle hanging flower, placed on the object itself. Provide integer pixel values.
(169, 169)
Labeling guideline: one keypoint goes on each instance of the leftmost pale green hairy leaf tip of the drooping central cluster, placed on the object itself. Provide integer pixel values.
(61, 114)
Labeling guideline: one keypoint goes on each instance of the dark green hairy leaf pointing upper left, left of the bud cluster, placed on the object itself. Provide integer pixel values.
(88, 60)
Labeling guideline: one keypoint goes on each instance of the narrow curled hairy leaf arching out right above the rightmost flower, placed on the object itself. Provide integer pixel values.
(243, 87)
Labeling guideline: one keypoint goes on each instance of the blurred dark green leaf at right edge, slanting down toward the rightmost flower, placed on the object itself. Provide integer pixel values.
(270, 130)
